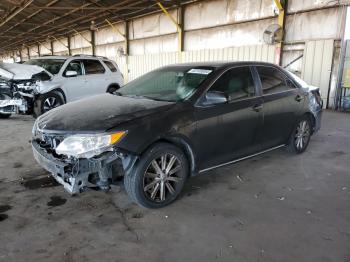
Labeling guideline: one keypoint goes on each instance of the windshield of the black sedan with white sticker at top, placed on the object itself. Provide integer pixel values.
(169, 84)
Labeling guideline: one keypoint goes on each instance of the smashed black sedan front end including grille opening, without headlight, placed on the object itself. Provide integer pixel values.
(77, 174)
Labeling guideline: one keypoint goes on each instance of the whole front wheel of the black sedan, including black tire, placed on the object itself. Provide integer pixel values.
(144, 175)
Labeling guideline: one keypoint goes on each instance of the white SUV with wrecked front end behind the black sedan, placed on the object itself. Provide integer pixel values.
(61, 79)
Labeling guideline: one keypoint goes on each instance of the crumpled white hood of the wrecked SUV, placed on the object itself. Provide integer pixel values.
(19, 71)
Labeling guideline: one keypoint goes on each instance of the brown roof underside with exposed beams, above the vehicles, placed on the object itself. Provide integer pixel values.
(27, 22)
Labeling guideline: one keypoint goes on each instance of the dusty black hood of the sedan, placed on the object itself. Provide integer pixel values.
(98, 113)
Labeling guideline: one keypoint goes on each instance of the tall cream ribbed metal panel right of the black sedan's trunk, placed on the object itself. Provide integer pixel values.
(317, 65)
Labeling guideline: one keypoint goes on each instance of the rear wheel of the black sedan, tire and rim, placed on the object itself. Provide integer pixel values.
(300, 137)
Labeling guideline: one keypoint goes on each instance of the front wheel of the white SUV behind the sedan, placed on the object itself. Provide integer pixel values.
(42, 105)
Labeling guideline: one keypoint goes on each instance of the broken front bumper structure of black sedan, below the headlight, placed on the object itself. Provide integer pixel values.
(76, 175)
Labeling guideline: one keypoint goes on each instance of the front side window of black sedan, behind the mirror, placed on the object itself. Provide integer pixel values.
(236, 84)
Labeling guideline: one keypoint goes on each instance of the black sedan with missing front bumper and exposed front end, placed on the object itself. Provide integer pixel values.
(175, 122)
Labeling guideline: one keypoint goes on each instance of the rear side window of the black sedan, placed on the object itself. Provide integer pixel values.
(272, 80)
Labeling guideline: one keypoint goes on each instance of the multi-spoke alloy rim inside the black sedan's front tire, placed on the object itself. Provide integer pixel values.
(161, 178)
